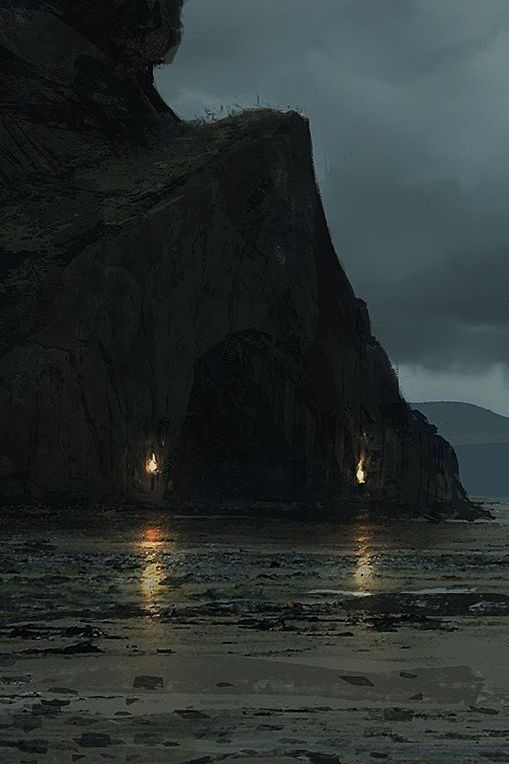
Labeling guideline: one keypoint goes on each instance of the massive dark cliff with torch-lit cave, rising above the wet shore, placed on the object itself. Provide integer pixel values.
(175, 323)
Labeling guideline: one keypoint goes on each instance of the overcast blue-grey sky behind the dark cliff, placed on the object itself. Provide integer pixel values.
(409, 108)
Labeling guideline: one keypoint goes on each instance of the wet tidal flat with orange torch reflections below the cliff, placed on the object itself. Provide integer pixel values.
(138, 635)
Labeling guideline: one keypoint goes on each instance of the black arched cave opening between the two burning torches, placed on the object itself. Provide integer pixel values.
(233, 444)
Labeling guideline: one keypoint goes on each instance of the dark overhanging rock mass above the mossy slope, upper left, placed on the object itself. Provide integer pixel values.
(76, 79)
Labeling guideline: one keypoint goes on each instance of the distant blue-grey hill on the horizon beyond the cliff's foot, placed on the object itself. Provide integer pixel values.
(481, 440)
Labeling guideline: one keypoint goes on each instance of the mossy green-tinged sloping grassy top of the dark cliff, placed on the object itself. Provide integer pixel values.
(126, 186)
